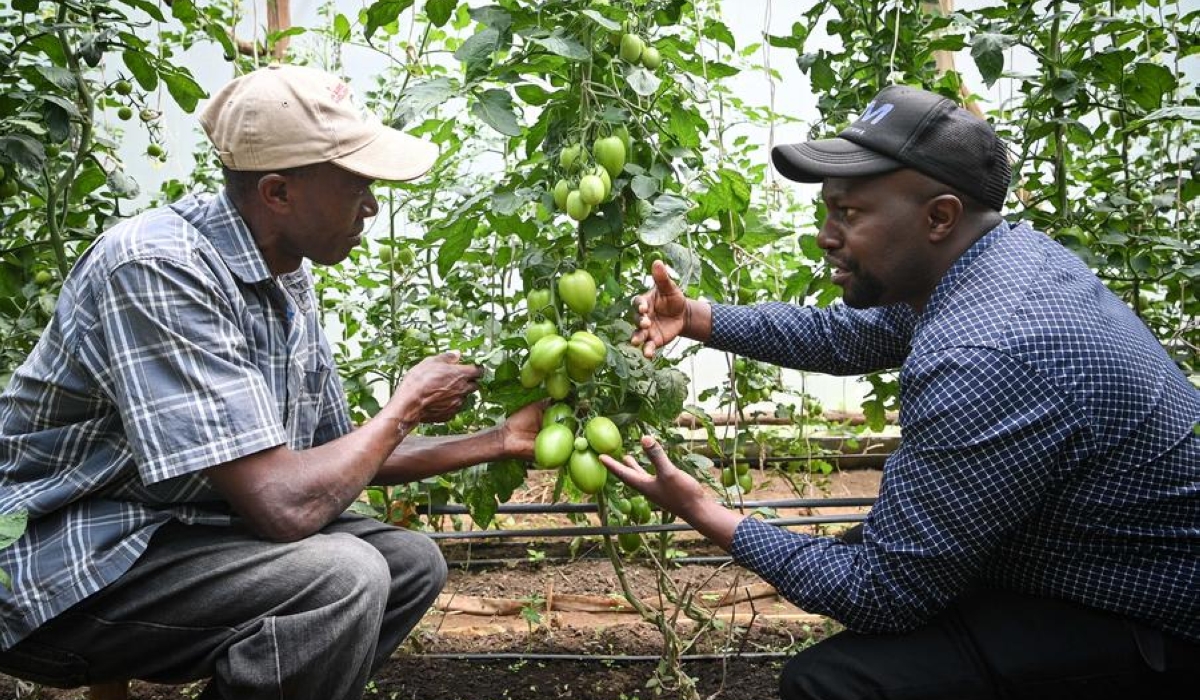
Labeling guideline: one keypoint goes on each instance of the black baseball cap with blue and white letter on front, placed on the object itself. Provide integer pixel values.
(907, 128)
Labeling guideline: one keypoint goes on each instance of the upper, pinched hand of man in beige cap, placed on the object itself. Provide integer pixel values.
(435, 390)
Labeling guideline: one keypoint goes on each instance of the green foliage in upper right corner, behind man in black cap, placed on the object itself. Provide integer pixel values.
(1102, 129)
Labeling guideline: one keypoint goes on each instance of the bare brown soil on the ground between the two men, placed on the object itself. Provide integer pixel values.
(545, 619)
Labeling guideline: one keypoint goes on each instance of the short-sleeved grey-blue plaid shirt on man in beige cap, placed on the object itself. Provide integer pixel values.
(172, 350)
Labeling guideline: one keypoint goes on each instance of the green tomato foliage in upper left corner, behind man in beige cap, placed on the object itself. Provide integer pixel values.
(68, 73)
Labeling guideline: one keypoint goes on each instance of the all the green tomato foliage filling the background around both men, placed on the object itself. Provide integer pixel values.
(1096, 107)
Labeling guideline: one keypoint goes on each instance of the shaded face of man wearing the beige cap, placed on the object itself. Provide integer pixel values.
(331, 207)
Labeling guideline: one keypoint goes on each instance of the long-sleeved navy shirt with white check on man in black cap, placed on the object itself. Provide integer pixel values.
(1048, 447)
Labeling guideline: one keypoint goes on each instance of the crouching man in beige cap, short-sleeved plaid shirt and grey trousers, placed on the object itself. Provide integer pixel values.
(183, 446)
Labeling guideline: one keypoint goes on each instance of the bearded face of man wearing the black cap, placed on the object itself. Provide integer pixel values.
(875, 237)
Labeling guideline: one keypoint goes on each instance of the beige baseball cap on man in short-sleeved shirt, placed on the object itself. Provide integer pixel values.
(285, 117)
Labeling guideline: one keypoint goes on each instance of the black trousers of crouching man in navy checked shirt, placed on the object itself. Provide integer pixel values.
(998, 645)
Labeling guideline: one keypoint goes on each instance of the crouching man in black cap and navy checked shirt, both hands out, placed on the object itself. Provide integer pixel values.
(1037, 534)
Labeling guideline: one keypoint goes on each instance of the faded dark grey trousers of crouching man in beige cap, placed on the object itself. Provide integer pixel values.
(297, 621)
